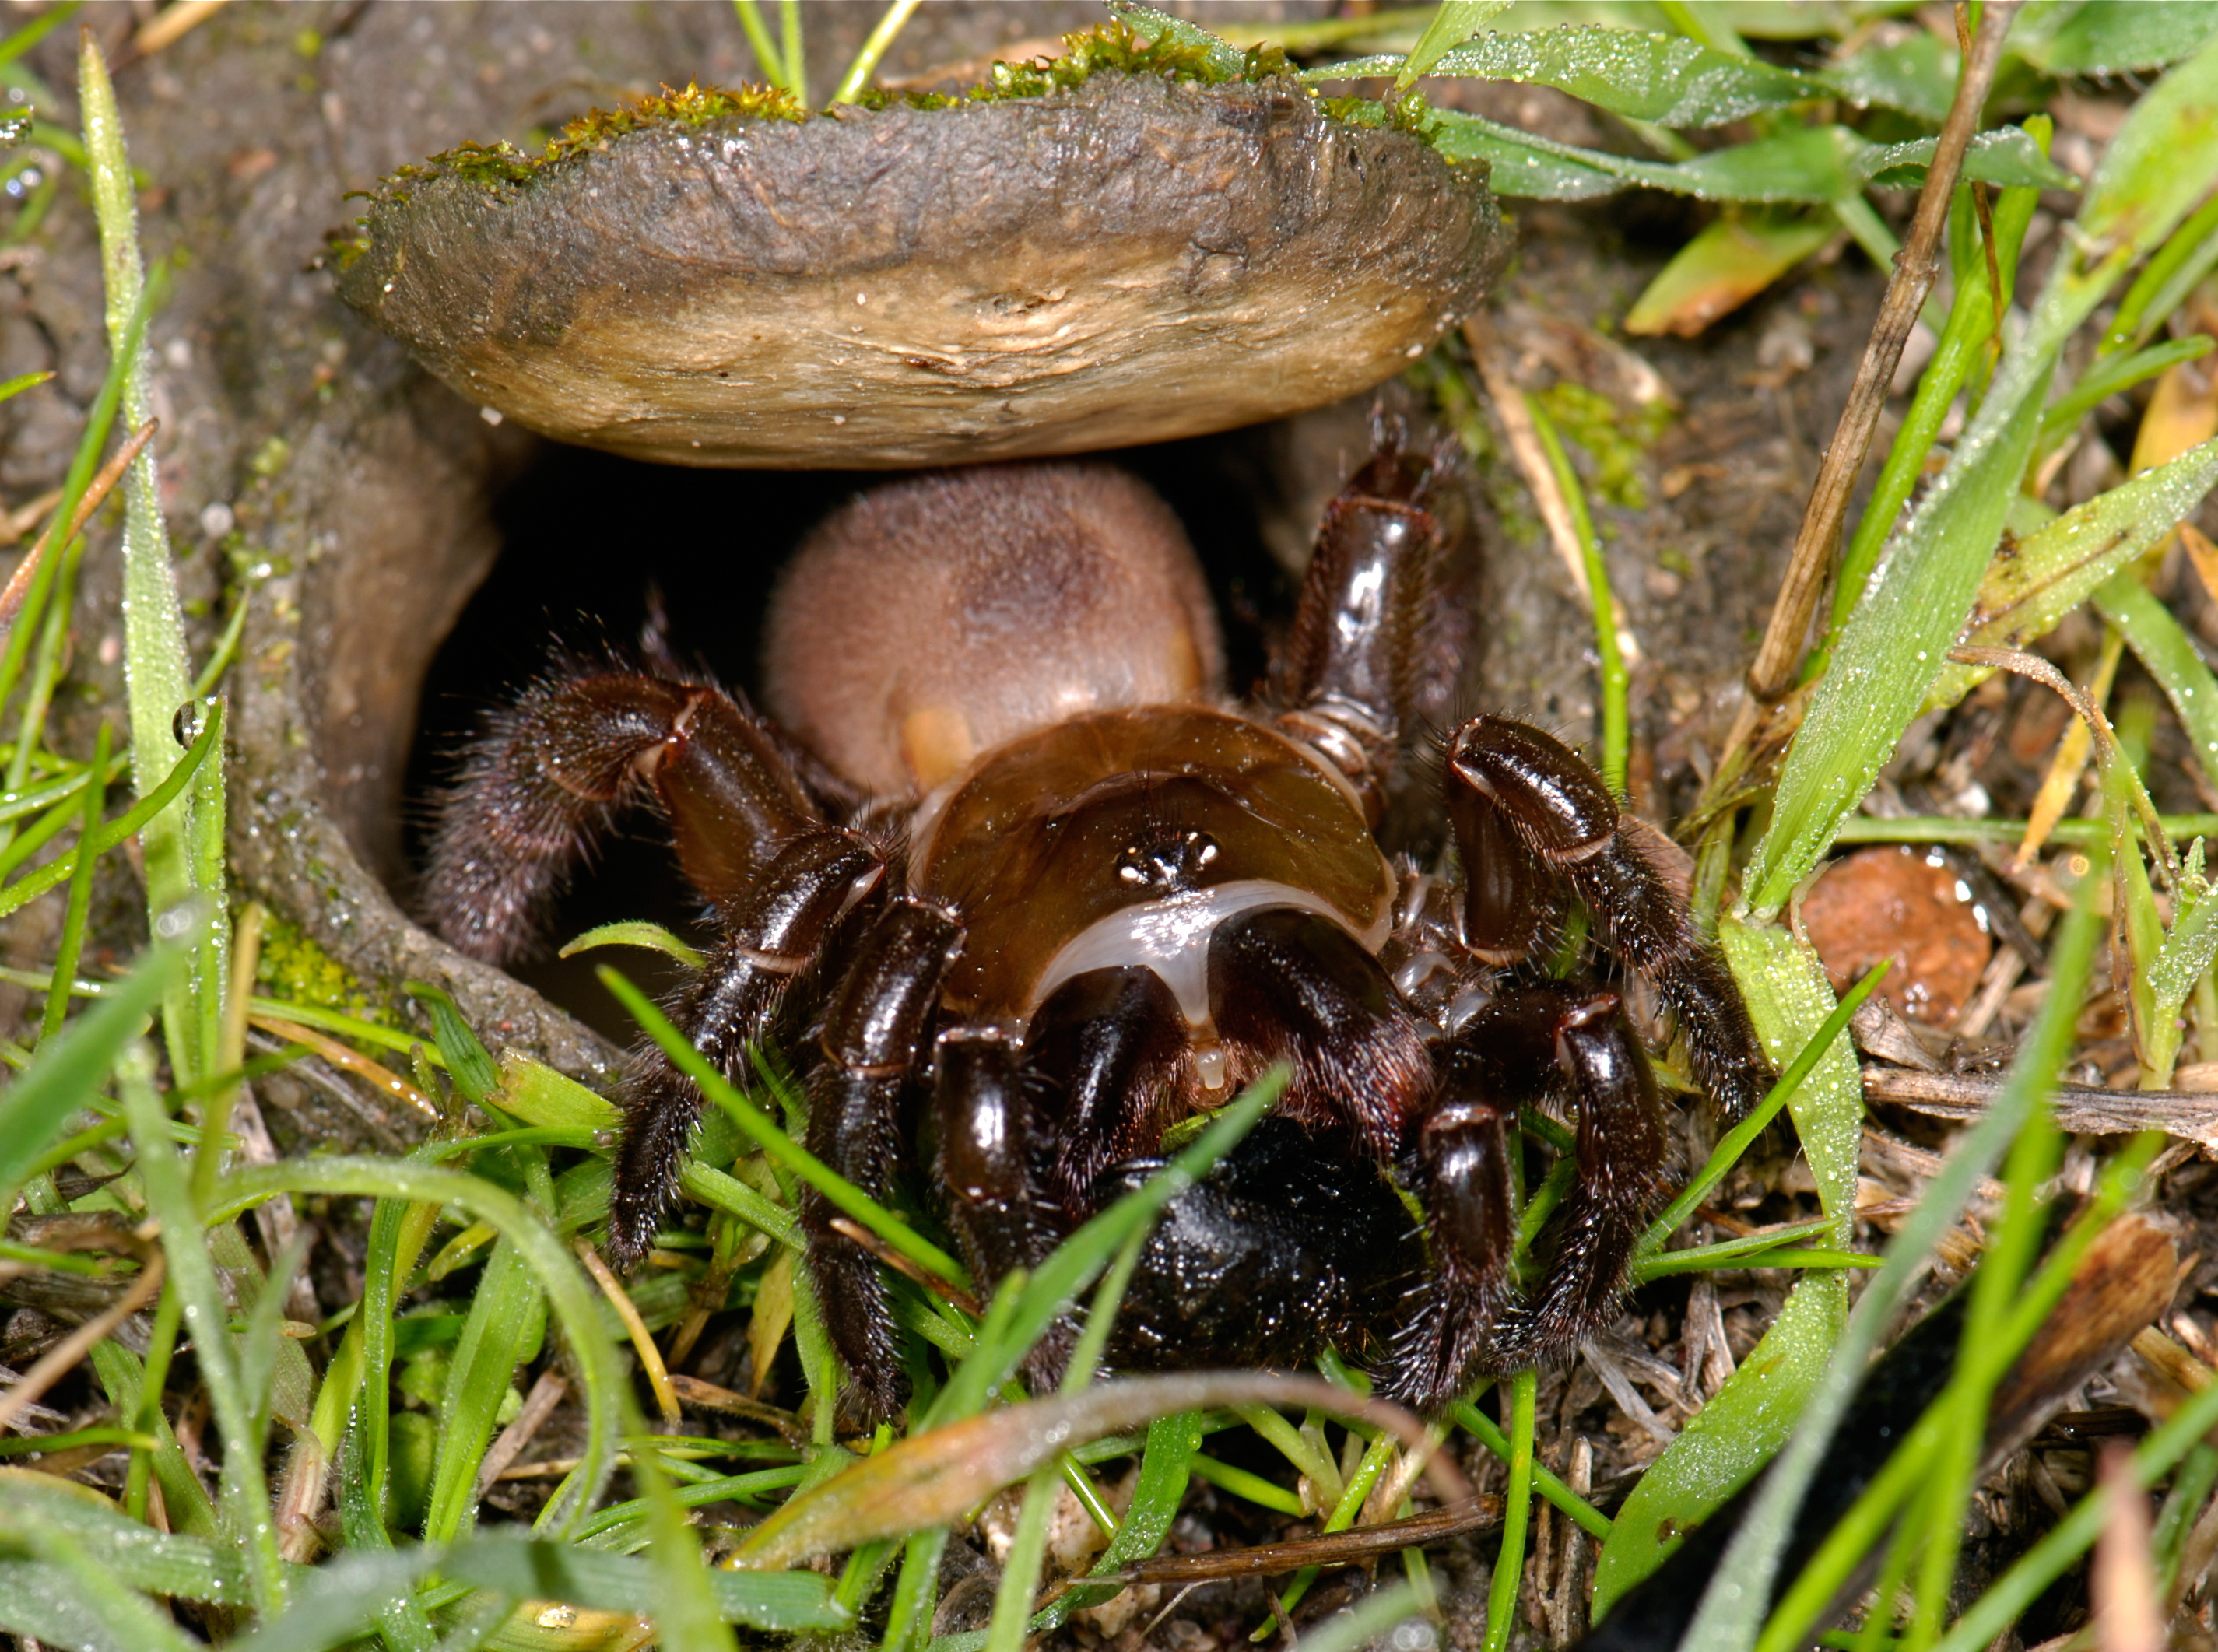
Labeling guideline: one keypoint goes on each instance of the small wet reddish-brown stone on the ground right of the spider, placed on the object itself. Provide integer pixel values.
(1906, 906)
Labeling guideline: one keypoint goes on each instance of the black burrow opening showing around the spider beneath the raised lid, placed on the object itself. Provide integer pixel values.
(589, 540)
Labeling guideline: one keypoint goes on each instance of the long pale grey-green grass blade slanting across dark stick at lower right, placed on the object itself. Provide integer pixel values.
(1738, 1600)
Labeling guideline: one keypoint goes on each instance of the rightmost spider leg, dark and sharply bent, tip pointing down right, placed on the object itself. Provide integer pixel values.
(1532, 817)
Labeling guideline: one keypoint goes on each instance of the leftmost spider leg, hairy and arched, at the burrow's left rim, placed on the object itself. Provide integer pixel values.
(549, 777)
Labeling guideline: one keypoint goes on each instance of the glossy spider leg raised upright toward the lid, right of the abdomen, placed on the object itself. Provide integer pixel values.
(1350, 669)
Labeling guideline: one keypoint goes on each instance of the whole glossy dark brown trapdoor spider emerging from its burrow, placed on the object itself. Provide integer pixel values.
(1008, 857)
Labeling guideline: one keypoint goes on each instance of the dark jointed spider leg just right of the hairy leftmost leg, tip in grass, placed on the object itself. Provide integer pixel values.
(773, 935)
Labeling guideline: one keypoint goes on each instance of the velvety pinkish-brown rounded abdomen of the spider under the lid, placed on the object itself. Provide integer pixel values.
(942, 618)
